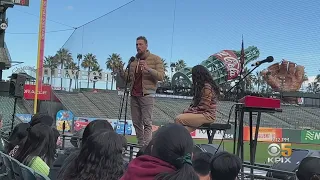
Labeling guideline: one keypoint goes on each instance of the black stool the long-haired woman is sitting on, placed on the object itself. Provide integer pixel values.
(211, 129)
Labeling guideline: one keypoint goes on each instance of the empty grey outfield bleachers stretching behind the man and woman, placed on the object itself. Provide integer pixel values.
(106, 105)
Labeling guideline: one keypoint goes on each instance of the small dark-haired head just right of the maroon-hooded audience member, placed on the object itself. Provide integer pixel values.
(201, 164)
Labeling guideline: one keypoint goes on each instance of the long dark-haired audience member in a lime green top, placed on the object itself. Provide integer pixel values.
(37, 152)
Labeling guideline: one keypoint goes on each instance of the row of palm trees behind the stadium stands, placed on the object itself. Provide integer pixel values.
(63, 59)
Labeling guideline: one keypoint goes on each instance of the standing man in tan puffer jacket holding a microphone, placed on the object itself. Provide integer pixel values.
(145, 72)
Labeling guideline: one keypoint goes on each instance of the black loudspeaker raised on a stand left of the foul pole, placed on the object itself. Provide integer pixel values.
(16, 88)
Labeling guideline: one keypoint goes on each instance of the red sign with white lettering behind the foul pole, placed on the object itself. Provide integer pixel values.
(44, 92)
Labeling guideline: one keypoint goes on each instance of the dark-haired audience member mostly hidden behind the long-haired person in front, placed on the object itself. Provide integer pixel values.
(64, 160)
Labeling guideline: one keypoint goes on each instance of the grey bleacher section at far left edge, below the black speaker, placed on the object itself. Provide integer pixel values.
(6, 109)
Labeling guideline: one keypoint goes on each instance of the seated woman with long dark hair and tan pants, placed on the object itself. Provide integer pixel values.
(205, 95)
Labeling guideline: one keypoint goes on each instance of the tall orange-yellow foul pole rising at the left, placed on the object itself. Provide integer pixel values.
(41, 39)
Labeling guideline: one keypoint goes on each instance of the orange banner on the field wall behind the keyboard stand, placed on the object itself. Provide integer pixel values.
(265, 134)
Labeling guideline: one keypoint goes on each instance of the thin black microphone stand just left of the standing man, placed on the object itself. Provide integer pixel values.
(125, 95)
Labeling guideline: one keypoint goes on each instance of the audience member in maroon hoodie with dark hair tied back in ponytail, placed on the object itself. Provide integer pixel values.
(170, 157)
